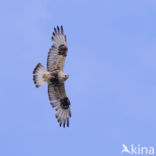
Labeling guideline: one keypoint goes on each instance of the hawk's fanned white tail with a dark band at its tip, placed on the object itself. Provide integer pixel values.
(38, 75)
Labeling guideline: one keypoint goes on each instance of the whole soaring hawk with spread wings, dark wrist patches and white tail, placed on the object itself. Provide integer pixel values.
(55, 77)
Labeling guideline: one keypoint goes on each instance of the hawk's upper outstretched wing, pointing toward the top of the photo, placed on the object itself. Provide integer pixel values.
(58, 52)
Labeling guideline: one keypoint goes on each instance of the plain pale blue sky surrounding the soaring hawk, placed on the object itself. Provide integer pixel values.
(112, 83)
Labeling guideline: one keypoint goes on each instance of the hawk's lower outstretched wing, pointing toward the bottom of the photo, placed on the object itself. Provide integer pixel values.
(60, 101)
